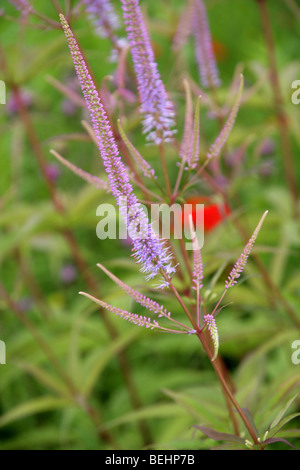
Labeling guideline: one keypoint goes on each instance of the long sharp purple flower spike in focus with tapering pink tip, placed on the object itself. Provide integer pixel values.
(149, 249)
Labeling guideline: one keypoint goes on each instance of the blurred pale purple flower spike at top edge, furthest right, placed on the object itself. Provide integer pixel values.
(204, 48)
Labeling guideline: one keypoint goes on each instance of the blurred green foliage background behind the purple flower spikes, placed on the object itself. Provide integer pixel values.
(76, 380)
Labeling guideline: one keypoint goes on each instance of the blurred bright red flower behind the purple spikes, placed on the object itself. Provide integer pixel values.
(214, 213)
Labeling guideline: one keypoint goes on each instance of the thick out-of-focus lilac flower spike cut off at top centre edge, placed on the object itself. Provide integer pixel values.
(156, 108)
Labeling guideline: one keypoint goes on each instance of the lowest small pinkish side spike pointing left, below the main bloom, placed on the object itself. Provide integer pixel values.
(134, 318)
